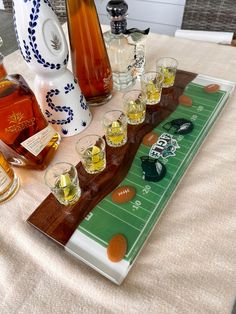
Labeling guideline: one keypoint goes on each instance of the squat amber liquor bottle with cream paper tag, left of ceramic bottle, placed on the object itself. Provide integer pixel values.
(26, 138)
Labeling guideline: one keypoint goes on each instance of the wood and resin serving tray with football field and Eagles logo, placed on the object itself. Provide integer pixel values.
(124, 198)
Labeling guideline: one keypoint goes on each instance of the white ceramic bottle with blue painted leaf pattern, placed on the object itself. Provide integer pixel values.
(43, 45)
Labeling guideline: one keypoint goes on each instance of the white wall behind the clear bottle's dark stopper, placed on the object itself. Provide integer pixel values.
(162, 16)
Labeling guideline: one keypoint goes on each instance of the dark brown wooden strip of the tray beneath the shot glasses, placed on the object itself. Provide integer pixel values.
(59, 222)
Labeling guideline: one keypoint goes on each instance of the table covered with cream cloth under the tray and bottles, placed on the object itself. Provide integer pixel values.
(188, 263)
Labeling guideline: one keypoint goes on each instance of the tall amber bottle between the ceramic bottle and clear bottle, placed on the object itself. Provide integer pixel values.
(90, 61)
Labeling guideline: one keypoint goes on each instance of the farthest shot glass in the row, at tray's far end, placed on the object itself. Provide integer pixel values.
(167, 66)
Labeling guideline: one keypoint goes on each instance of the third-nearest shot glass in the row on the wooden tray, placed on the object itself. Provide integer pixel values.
(115, 128)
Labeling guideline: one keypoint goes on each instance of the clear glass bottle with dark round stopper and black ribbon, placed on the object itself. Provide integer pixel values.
(126, 48)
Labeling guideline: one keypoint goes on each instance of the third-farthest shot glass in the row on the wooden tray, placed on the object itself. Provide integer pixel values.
(134, 103)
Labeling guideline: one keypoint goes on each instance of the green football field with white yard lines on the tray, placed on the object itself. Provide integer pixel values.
(136, 218)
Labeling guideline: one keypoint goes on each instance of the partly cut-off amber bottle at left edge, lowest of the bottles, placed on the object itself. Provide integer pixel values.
(9, 182)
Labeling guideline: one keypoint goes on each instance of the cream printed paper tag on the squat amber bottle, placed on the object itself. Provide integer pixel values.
(36, 143)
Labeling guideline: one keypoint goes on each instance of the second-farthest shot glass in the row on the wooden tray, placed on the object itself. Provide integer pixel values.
(151, 83)
